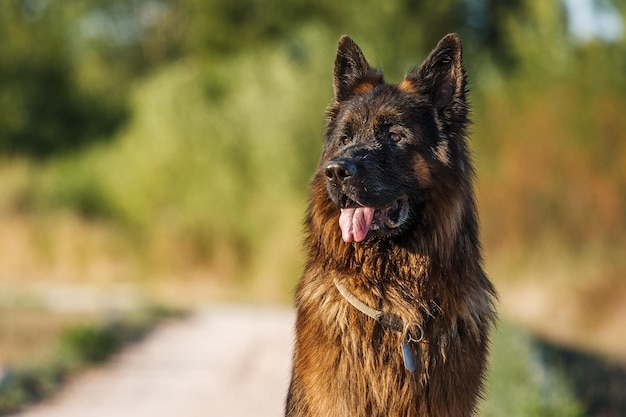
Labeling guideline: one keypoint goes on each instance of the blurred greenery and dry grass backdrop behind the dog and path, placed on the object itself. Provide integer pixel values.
(158, 153)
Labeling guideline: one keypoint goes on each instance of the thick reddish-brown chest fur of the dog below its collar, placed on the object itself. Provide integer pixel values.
(346, 364)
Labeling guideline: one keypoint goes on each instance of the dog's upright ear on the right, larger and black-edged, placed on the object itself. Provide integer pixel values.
(441, 77)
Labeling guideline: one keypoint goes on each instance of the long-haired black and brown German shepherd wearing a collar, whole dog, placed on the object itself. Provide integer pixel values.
(394, 309)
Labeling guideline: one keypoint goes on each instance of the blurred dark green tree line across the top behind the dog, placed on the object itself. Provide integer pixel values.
(66, 68)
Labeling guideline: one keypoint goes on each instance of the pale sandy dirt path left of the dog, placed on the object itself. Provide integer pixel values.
(221, 362)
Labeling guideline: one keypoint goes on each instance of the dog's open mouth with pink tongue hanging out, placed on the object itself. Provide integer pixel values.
(357, 221)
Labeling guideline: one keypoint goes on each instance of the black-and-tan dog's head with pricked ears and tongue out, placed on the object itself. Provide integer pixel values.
(392, 150)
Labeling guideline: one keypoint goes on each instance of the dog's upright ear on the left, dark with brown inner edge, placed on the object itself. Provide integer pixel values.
(352, 72)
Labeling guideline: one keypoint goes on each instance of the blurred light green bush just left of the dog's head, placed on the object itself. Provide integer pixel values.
(216, 157)
